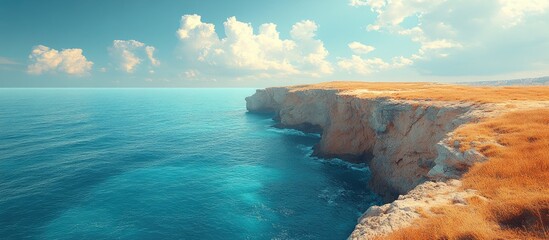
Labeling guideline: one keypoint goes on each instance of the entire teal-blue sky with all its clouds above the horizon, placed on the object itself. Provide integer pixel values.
(245, 43)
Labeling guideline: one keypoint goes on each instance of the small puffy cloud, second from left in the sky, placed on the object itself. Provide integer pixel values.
(129, 54)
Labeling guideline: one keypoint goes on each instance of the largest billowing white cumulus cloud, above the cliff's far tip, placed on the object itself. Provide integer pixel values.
(247, 53)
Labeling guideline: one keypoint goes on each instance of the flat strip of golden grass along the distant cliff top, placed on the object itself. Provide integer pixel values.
(438, 92)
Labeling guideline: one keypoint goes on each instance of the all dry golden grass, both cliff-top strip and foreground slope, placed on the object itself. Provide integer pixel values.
(515, 179)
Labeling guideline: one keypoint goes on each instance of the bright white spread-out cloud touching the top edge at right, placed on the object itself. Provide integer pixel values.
(439, 20)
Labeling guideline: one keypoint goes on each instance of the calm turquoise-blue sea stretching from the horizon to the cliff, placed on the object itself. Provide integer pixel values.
(165, 163)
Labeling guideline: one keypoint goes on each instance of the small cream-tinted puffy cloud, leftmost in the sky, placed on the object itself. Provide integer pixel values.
(70, 61)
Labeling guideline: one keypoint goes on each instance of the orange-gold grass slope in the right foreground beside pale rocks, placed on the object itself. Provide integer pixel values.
(515, 179)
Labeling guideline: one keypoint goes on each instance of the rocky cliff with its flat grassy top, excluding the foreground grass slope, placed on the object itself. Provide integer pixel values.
(404, 132)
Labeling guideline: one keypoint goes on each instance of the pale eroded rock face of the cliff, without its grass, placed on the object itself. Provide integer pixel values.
(403, 141)
